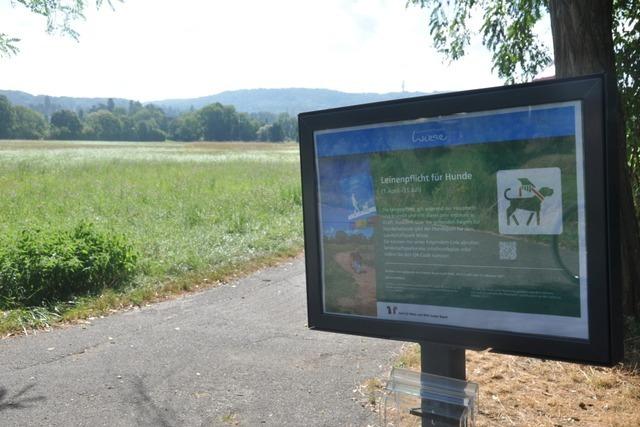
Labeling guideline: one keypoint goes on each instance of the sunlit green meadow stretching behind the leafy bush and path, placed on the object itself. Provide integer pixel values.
(199, 210)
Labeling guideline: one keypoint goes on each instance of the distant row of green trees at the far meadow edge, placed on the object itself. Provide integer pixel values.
(106, 122)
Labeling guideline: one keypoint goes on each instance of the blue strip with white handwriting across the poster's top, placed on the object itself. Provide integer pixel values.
(458, 130)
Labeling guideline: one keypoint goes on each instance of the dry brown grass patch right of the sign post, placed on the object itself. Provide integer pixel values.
(525, 391)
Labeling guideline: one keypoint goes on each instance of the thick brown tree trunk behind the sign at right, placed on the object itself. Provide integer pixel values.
(583, 44)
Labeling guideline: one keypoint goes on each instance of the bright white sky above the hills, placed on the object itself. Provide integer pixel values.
(163, 49)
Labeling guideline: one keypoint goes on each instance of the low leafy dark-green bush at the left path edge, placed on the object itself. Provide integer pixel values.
(45, 266)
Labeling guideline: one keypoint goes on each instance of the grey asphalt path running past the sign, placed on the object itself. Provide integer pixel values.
(240, 354)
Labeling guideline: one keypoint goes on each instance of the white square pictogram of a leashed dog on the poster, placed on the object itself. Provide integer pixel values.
(530, 201)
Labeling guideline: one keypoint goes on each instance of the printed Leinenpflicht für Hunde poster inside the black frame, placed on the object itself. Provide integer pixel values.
(471, 220)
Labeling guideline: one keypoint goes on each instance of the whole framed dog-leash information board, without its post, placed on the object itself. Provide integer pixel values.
(477, 219)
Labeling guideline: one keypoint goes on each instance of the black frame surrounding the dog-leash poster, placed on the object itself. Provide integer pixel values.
(604, 345)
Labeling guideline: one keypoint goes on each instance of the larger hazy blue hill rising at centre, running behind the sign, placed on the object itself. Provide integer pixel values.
(292, 101)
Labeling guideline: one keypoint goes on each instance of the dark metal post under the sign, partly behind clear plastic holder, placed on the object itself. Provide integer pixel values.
(446, 361)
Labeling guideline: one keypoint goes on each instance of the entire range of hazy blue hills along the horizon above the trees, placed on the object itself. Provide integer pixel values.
(292, 101)
